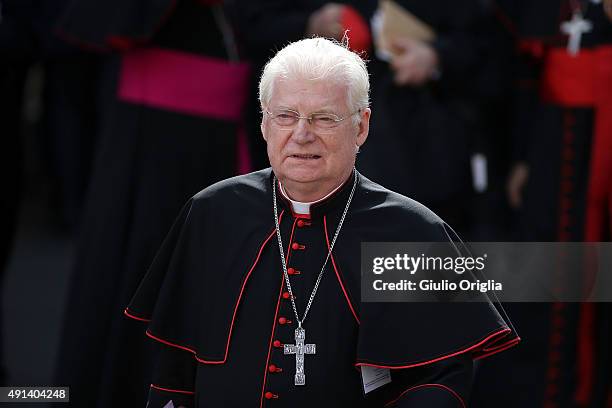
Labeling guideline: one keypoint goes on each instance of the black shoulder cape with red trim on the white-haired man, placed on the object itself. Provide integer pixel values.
(192, 292)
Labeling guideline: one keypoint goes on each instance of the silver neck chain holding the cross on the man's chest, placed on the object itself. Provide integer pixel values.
(331, 247)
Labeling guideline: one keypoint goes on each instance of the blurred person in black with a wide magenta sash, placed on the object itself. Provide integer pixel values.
(171, 130)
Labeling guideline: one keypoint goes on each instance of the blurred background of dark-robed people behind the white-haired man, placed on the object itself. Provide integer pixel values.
(495, 114)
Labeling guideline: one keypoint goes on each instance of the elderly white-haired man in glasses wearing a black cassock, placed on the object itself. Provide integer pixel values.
(254, 293)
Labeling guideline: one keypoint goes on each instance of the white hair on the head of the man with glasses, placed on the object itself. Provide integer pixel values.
(318, 59)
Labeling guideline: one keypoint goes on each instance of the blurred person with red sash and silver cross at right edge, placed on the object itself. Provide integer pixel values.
(560, 187)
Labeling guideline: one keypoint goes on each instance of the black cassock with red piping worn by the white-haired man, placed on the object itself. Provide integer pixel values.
(216, 301)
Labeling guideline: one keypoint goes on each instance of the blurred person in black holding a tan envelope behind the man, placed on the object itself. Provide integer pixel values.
(429, 95)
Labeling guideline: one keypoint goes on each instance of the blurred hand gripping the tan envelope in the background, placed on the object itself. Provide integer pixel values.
(415, 62)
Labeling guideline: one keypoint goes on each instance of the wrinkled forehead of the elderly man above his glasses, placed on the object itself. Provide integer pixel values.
(308, 95)
